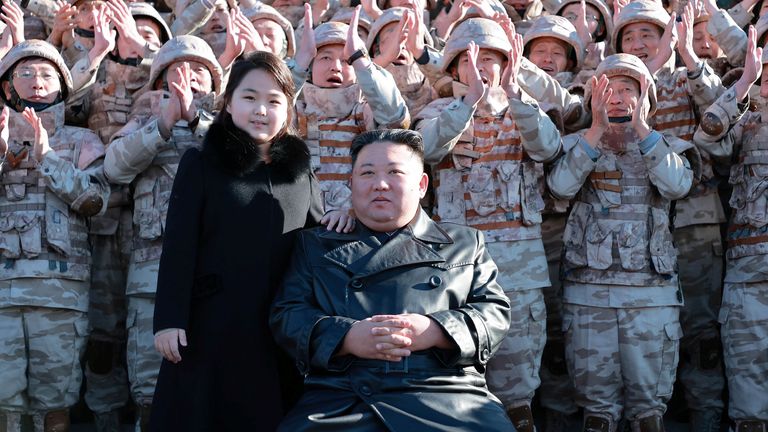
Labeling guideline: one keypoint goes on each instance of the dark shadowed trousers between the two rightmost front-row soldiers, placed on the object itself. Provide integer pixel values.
(701, 271)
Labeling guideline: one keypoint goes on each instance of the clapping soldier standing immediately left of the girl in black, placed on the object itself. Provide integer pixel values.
(145, 154)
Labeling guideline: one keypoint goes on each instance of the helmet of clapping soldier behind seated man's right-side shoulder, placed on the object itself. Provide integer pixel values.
(485, 33)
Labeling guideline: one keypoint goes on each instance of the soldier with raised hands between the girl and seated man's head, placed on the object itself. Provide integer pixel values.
(348, 94)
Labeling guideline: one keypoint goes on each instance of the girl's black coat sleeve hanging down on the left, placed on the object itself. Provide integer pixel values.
(180, 243)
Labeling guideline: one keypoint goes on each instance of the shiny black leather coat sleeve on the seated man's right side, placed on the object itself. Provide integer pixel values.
(480, 325)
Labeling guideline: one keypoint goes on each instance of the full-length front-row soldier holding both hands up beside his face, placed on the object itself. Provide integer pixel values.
(621, 294)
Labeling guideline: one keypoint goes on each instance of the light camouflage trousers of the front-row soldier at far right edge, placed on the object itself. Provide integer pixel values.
(744, 320)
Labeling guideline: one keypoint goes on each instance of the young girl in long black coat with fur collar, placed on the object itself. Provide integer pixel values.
(233, 211)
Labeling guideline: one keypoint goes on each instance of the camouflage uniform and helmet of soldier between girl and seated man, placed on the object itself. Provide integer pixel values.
(330, 118)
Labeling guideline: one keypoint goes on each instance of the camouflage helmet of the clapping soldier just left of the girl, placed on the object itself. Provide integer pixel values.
(185, 48)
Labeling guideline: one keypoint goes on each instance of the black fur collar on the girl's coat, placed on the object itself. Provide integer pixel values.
(233, 150)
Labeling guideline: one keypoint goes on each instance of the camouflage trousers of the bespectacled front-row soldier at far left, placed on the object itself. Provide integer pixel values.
(41, 351)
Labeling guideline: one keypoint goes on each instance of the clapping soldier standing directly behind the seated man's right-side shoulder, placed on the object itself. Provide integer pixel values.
(487, 146)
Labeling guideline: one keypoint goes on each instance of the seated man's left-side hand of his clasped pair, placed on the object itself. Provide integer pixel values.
(384, 339)
